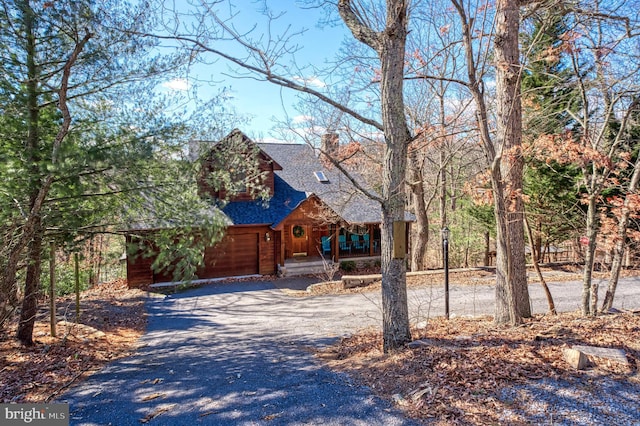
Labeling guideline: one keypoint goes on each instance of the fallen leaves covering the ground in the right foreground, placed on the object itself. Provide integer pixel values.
(452, 375)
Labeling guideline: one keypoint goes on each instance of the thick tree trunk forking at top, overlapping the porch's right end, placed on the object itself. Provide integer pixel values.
(390, 47)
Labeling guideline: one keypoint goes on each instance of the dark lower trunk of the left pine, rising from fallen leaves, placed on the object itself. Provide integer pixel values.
(31, 288)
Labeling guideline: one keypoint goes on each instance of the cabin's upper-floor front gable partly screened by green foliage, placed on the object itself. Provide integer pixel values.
(236, 169)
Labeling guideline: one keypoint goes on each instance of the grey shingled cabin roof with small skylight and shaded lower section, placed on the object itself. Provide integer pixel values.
(298, 181)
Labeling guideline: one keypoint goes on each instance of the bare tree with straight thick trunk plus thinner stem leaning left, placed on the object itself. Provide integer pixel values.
(502, 149)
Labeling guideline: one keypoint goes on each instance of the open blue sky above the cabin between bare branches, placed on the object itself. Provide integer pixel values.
(263, 100)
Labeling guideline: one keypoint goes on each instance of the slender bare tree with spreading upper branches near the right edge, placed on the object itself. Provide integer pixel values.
(605, 67)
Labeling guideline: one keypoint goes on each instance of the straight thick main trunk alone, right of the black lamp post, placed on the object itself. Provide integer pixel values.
(509, 139)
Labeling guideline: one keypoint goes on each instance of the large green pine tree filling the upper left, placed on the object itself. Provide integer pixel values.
(86, 140)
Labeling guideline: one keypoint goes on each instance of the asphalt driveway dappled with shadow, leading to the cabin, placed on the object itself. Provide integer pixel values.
(239, 354)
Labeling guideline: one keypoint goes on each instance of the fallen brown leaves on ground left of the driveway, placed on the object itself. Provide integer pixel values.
(111, 321)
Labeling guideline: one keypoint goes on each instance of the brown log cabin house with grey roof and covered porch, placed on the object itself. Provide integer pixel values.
(313, 213)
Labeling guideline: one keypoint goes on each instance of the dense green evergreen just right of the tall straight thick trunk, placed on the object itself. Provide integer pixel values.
(549, 94)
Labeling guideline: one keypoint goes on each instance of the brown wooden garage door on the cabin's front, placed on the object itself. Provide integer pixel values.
(236, 255)
